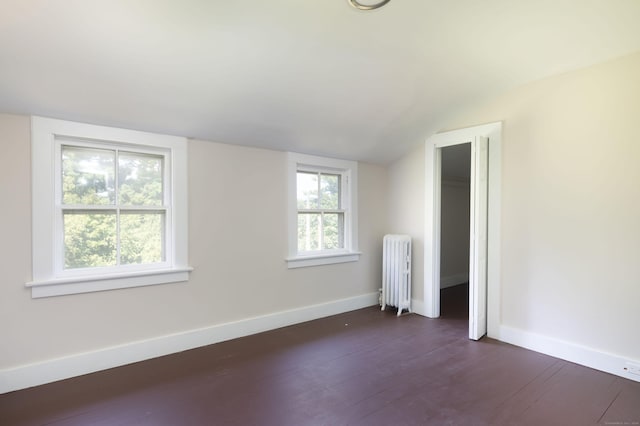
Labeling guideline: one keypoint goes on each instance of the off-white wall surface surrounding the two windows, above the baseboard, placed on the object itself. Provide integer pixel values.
(238, 236)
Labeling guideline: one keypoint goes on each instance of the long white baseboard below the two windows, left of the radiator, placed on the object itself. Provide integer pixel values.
(83, 363)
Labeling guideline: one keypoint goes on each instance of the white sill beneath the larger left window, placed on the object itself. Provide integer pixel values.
(88, 284)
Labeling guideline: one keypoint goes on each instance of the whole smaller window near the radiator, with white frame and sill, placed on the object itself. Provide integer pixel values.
(323, 209)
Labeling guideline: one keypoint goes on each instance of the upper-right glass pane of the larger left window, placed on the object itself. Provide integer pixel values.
(140, 179)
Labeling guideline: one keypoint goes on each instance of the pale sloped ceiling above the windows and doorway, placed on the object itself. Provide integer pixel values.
(312, 76)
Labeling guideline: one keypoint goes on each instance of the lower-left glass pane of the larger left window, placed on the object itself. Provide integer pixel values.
(89, 239)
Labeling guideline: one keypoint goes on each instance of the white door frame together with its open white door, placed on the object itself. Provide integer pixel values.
(484, 232)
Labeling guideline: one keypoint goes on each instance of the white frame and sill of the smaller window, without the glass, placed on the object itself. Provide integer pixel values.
(348, 170)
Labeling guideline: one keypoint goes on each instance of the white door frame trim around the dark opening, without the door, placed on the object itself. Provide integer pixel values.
(492, 131)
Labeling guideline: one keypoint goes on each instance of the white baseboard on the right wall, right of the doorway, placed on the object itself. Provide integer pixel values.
(568, 351)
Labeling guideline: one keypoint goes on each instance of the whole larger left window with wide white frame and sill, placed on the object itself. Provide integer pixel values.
(109, 208)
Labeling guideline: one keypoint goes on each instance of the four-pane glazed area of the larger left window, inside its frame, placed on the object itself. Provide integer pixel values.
(112, 206)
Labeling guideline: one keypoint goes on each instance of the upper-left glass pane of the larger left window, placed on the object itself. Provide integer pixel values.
(88, 176)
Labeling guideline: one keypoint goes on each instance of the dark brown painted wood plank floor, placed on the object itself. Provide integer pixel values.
(360, 368)
